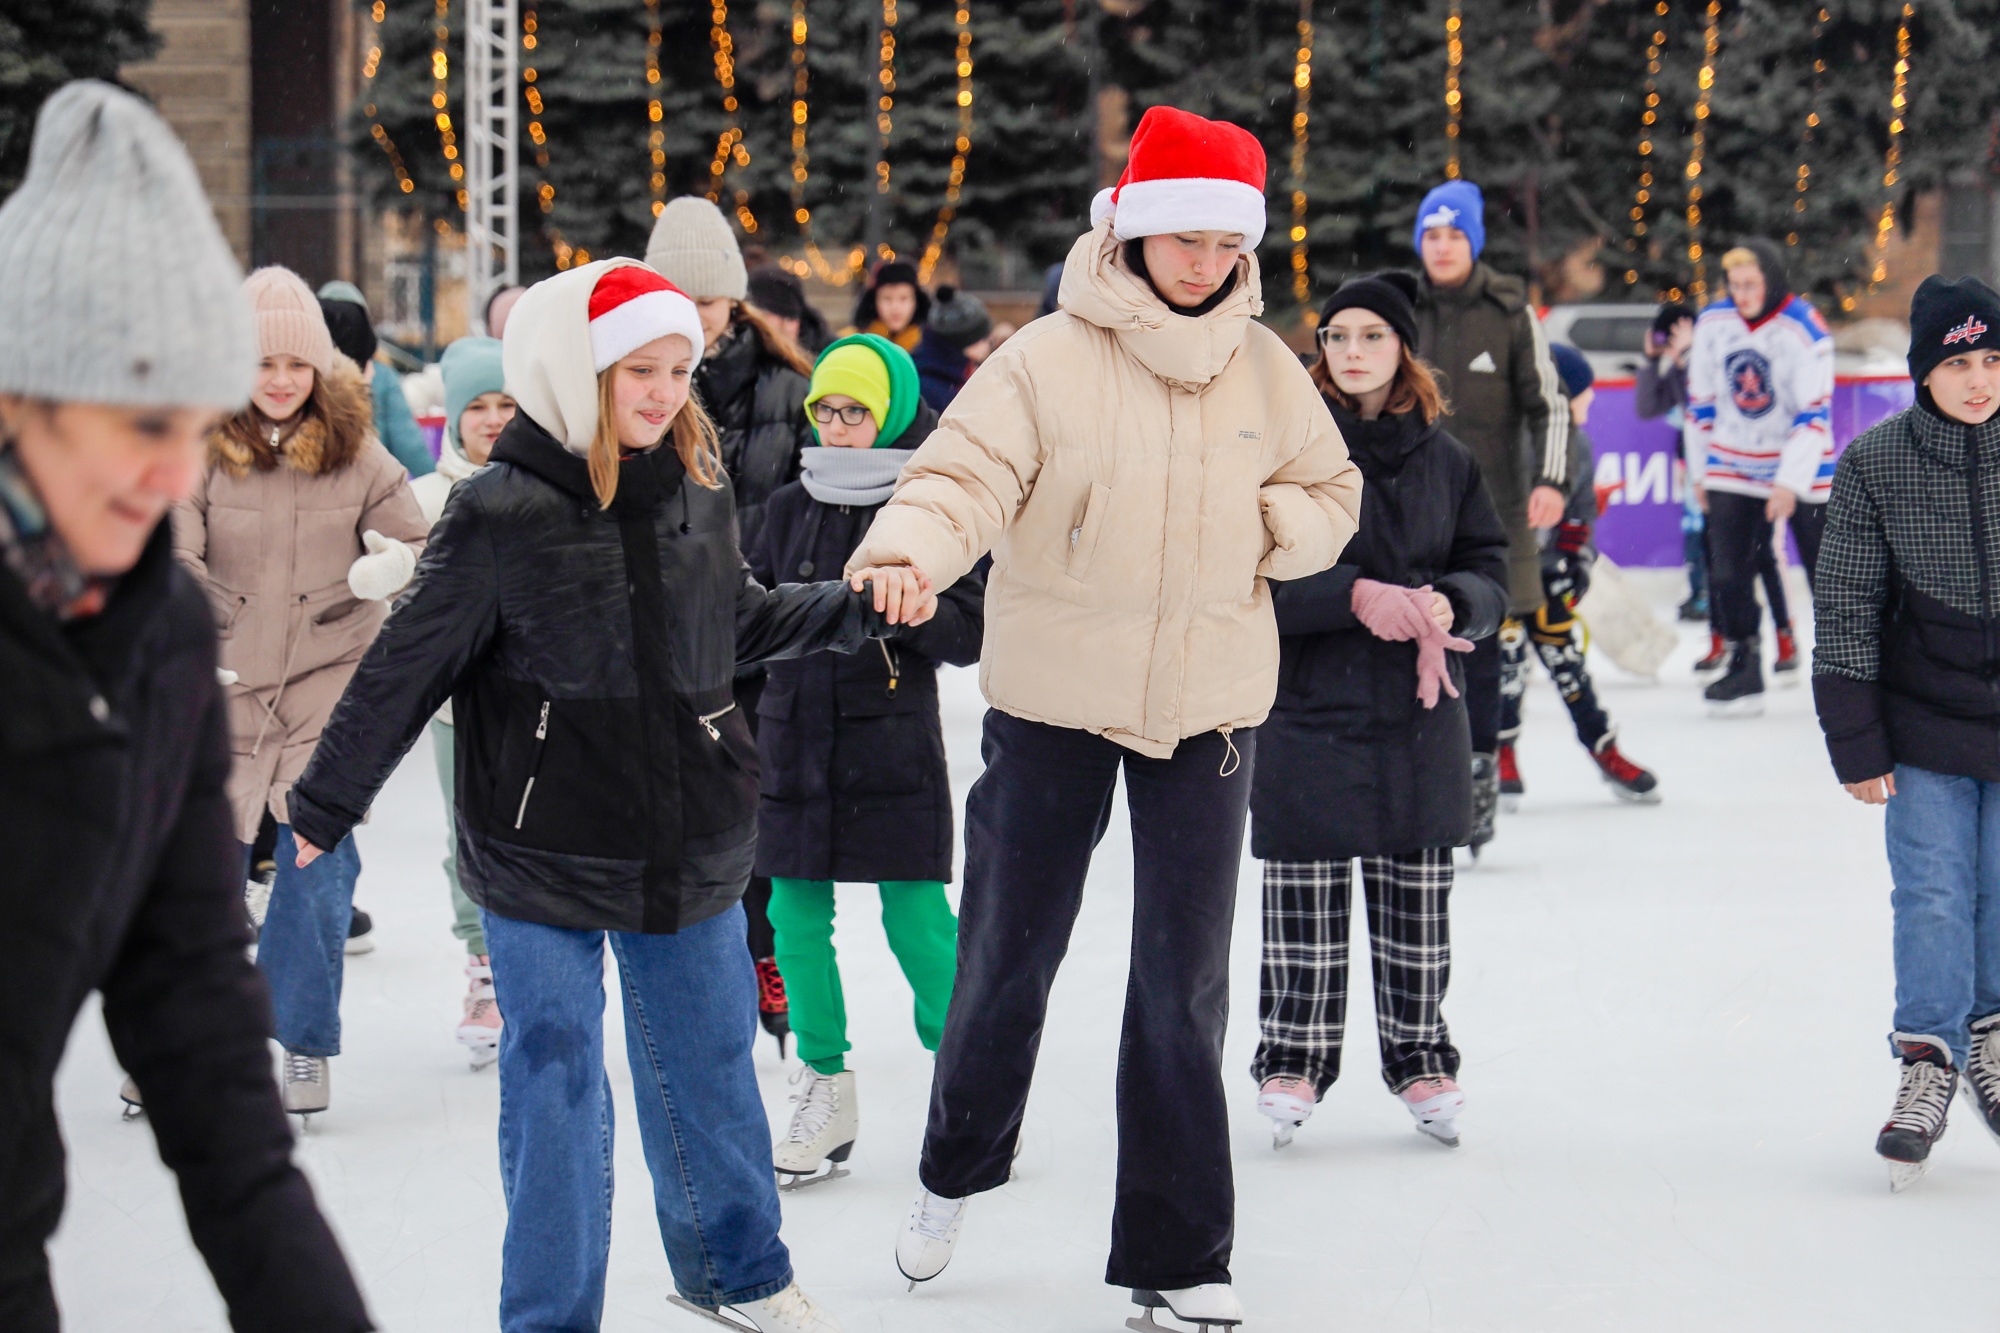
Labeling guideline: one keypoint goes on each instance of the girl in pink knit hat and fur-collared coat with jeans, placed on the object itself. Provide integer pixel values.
(301, 531)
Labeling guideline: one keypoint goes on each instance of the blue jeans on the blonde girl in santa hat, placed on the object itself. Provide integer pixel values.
(691, 1022)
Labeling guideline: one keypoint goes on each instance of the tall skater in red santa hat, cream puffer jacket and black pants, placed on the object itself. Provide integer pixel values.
(1139, 463)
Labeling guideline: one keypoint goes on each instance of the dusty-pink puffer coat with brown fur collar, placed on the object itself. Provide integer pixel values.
(273, 537)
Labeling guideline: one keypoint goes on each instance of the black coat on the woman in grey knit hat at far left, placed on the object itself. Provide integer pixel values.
(123, 876)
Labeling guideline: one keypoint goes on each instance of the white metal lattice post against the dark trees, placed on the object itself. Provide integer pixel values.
(493, 151)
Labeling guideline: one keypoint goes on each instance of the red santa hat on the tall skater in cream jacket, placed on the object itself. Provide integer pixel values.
(1187, 175)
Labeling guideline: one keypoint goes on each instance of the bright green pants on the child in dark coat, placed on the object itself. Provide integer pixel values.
(921, 932)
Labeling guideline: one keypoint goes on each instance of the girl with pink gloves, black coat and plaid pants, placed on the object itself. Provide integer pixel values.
(1367, 752)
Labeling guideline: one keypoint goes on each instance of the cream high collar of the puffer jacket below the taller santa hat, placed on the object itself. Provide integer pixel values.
(1099, 289)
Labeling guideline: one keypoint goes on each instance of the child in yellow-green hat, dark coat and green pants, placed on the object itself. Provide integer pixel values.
(855, 784)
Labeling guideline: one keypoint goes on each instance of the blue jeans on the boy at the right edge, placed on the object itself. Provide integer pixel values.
(1945, 860)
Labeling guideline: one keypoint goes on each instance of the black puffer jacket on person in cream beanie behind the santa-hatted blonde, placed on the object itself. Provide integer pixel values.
(759, 405)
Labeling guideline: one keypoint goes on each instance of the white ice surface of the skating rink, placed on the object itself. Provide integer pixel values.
(1673, 1026)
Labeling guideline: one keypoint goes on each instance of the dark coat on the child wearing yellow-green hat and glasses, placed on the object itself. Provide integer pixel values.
(855, 780)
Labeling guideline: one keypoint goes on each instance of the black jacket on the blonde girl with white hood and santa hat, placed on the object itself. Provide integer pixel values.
(605, 776)
